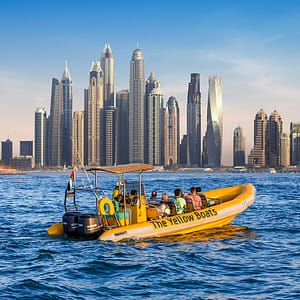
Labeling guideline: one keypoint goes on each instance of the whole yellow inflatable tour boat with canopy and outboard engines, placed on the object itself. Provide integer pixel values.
(130, 216)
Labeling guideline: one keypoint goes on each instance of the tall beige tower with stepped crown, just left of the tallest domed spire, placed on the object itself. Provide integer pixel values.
(93, 103)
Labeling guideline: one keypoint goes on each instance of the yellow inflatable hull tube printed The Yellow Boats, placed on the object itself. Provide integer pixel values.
(234, 200)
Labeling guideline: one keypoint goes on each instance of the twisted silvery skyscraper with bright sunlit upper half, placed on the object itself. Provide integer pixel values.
(214, 132)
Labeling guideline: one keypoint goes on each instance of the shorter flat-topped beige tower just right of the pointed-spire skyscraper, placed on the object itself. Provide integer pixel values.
(78, 139)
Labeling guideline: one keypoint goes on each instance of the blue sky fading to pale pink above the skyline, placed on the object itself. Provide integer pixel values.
(254, 46)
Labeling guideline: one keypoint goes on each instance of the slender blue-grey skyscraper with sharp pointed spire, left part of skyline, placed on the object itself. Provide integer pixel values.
(67, 97)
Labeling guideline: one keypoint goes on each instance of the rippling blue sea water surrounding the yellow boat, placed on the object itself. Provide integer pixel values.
(256, 257)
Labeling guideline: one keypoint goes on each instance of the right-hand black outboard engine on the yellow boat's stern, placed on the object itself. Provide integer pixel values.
(89, 226)
